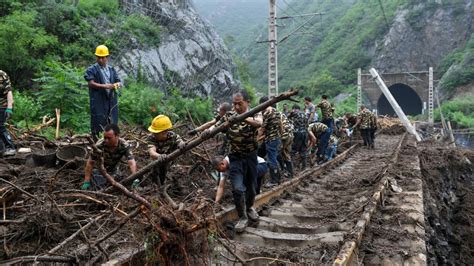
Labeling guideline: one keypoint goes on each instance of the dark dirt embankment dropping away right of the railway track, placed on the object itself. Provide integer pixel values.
(448, 182)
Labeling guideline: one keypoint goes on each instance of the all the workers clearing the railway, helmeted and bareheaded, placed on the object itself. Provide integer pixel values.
(264, 143)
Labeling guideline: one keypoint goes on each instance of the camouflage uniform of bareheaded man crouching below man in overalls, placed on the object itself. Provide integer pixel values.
(111, 161)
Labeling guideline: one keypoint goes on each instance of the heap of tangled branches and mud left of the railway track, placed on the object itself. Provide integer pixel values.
(46, 218)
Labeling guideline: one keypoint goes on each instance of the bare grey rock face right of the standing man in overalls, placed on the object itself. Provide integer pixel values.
(190, 56)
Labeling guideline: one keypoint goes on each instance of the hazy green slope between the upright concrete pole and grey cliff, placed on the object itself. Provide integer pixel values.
(336, 46)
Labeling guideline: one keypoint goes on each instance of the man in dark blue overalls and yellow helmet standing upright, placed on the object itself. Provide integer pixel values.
(103, 82)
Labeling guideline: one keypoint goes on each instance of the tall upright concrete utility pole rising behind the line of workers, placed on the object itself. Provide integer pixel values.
(272, 52)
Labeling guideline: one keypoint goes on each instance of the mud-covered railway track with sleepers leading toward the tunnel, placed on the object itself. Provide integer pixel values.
(320, 216)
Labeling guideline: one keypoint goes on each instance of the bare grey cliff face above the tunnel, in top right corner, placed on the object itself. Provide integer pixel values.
(422, 35)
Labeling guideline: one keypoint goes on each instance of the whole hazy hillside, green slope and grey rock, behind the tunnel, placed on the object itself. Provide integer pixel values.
(399, 35)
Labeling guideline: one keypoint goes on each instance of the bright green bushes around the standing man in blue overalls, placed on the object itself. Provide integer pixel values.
(46, 46)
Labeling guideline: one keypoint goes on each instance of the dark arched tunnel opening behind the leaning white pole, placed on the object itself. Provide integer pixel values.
(406, 97)
